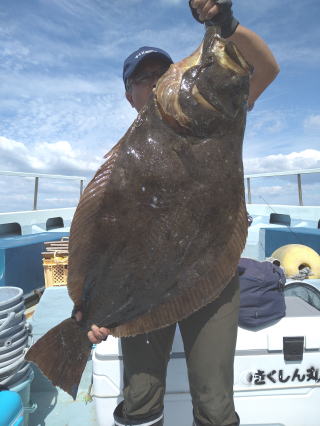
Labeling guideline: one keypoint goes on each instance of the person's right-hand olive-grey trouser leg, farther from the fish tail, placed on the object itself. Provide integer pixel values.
(209, 337)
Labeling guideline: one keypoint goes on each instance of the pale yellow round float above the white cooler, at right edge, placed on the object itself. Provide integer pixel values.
(294, 257)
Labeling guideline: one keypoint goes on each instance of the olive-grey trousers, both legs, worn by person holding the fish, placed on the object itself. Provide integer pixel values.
(209, 338)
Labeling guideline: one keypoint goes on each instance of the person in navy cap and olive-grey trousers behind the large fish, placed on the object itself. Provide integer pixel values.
(209, 335)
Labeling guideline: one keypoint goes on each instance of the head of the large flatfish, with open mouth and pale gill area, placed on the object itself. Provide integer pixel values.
(207, 92)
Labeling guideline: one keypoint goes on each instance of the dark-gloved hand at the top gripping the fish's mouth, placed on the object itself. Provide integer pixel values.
(215, 12)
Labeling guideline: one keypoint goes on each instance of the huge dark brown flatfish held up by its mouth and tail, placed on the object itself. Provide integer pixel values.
(160, 228)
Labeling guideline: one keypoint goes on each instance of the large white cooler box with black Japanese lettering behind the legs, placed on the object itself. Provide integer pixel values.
(277, 377)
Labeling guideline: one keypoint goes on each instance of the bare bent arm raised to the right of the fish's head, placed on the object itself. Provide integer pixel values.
(258, 54)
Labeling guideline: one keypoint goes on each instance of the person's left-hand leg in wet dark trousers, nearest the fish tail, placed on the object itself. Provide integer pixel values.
(145, 359)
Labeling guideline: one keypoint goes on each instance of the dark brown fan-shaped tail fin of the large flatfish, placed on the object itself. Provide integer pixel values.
(62, 354)
